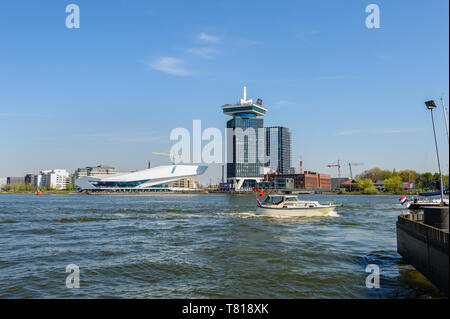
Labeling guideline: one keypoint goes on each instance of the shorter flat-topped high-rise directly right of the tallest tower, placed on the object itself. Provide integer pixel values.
(278, 149)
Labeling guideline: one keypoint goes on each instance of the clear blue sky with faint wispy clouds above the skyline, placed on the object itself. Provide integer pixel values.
(111, 91)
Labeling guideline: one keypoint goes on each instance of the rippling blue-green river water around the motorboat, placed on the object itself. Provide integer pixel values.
(199, 246)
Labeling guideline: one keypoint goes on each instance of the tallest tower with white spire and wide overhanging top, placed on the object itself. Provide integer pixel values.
(245, 147)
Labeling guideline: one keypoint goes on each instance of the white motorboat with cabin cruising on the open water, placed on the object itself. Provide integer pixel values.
(291, 206)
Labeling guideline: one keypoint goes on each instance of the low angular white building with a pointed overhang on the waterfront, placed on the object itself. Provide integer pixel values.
(150, 178)
